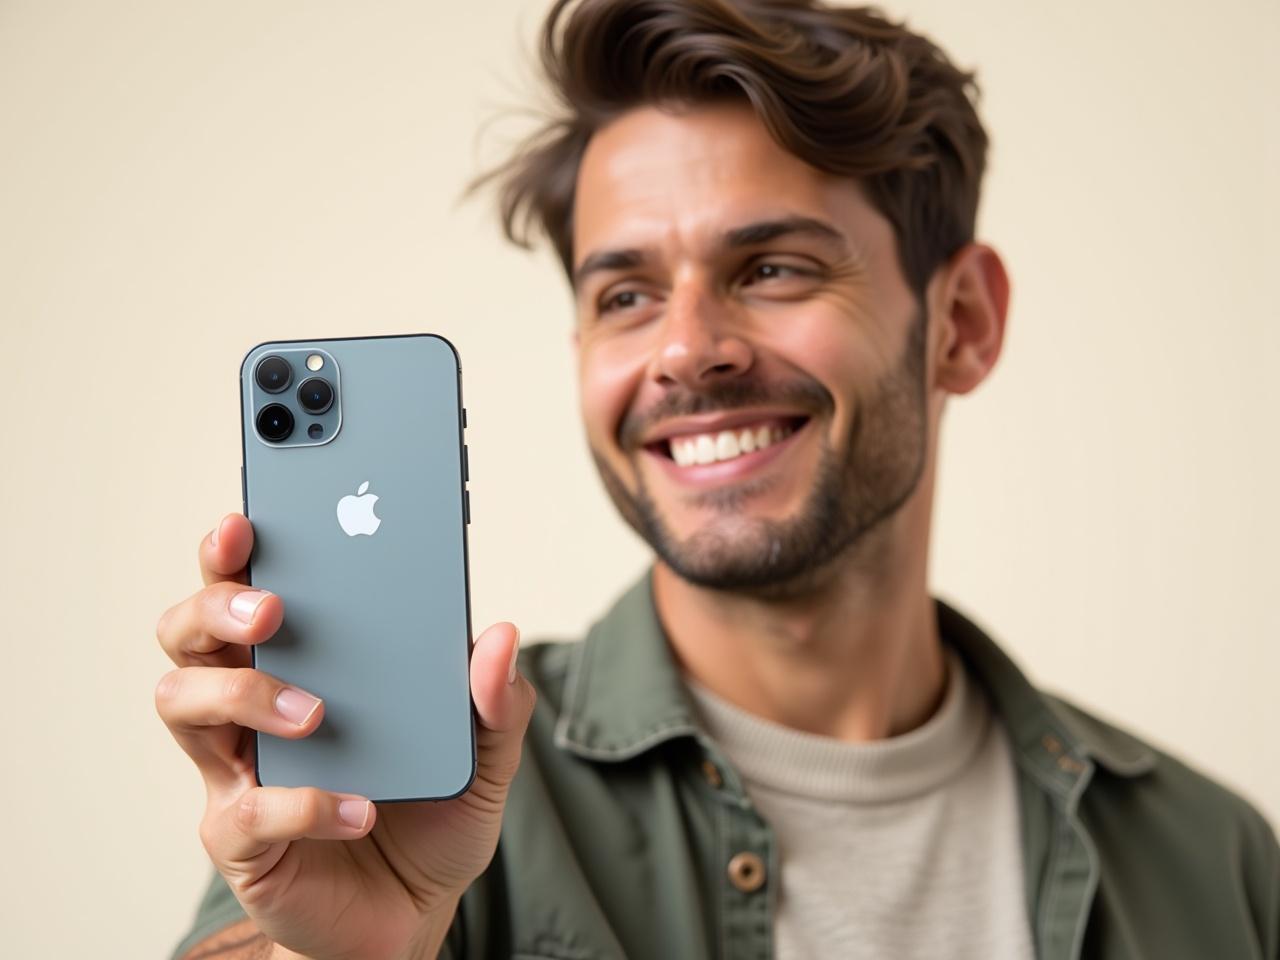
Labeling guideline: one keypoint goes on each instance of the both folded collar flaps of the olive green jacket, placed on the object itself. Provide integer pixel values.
(624, 696)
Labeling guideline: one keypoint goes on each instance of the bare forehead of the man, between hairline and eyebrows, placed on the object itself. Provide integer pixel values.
(655, 177)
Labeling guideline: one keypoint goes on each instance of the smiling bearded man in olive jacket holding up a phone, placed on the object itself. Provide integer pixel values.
(778, 743)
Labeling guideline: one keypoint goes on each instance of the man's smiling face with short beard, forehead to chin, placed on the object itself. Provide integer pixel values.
(752, 360)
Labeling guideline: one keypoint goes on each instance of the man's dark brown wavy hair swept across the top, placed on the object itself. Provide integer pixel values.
(847, 90)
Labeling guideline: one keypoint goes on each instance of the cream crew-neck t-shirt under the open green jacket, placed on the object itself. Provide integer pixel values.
(897, 849)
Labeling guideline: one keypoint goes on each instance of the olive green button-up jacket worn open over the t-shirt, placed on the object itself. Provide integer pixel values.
(629, 835)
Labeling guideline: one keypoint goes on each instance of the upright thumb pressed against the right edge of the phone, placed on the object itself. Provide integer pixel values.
(505, 702)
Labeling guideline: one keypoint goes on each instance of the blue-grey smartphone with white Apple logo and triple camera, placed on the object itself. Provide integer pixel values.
(355, 481)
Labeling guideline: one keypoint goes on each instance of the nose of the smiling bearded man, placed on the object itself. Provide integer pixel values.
(700, 342)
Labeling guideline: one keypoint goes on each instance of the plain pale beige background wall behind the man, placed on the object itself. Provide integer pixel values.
(180, 181)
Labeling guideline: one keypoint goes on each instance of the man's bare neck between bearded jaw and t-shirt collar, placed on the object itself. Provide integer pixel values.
(856, 657)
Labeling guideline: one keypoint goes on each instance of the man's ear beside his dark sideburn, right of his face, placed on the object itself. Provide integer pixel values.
(972, 303)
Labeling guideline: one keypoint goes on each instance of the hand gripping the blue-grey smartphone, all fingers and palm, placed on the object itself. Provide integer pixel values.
(324, 875)
